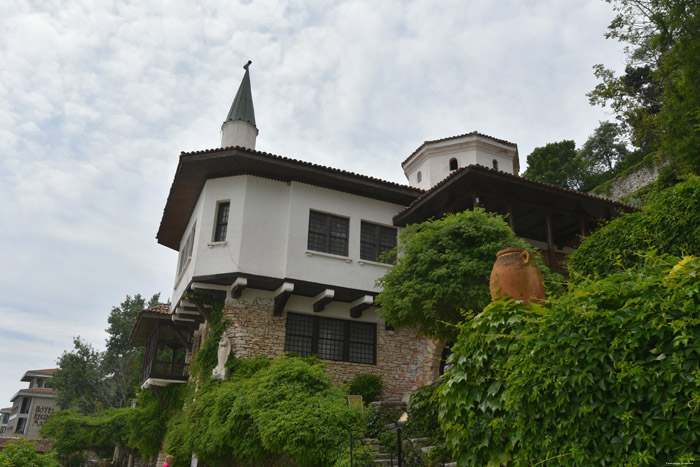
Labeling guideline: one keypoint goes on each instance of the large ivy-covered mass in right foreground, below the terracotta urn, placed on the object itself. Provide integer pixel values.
(608, 375)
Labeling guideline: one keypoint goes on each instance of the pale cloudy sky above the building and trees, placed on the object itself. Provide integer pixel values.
(98, 98)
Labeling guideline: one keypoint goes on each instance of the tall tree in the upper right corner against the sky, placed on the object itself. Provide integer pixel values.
(657, 100)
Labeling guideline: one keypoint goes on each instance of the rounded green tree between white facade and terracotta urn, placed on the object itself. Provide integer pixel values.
(442, 270)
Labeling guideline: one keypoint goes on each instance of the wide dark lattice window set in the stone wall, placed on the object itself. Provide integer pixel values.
(331, 339)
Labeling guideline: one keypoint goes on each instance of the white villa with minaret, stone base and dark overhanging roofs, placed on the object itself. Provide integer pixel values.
(295, 249)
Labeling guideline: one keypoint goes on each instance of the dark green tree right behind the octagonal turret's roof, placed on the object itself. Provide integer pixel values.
(558, 164)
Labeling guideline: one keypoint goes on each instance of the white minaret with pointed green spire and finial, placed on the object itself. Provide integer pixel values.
(239, 128)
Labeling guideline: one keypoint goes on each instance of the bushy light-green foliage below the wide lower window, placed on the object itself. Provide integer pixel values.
(288, 408)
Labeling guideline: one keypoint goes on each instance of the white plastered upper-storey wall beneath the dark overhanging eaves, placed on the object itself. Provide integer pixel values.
(267, 233)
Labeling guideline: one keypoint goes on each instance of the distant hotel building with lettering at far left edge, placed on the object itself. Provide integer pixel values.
(31, 406)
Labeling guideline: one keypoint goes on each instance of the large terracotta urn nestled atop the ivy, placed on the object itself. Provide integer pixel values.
(516, 275)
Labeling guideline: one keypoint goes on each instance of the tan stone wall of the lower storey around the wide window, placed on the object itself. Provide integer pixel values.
(405, 361)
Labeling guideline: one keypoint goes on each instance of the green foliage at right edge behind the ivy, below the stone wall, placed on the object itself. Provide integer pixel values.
(670, 225)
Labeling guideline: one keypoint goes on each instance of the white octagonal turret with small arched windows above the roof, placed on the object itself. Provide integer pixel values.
(431, 163)
